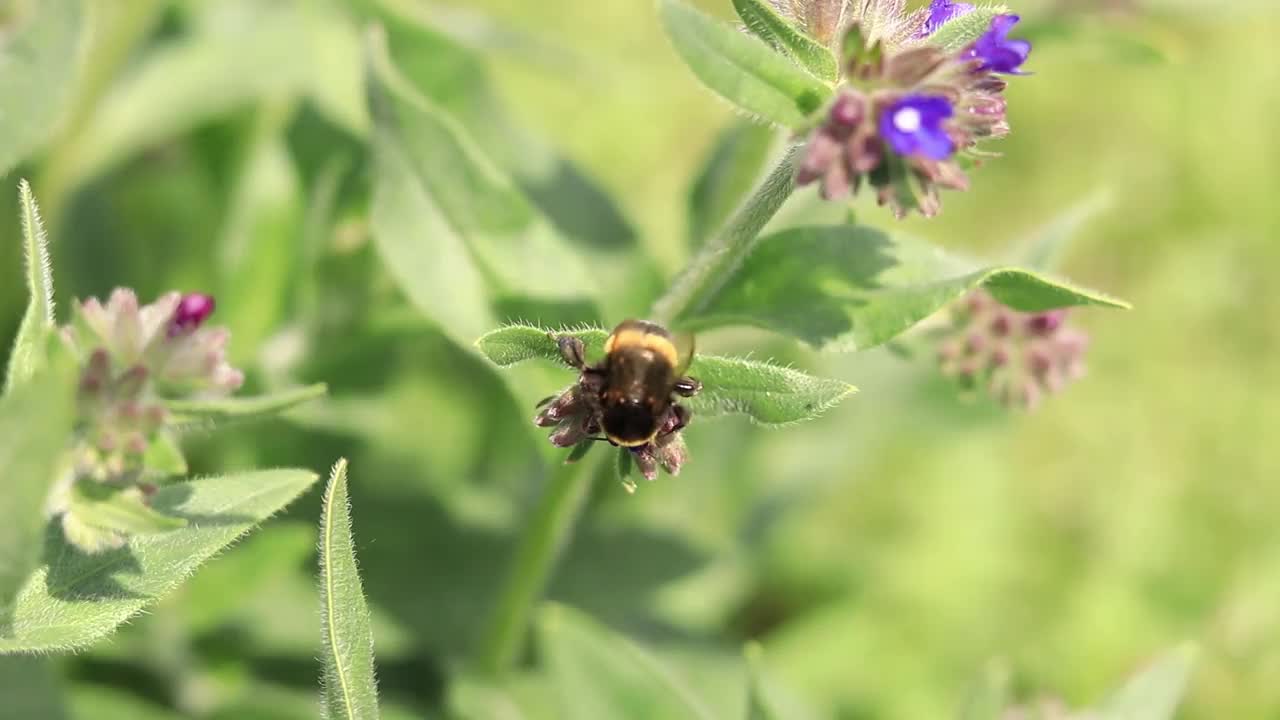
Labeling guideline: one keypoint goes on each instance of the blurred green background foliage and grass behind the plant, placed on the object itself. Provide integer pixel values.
(884, 555)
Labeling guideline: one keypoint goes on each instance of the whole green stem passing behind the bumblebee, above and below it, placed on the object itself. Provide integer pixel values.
(554, 521)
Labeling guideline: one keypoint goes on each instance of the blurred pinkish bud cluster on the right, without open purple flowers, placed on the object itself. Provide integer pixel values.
(1016, 357)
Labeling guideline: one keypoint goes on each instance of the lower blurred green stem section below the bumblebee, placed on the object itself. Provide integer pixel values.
(545, 537)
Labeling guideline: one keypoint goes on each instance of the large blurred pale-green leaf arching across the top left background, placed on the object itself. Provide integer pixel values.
(225, 66)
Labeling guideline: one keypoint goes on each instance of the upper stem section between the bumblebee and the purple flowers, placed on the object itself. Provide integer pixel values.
(717, 262)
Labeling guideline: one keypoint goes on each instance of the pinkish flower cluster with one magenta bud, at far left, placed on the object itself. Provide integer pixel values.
(132, 359)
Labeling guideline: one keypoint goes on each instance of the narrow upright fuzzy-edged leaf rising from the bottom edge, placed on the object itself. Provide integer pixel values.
(350, 687)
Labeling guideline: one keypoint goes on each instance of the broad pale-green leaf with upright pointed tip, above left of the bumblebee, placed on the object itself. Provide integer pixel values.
(454, 231)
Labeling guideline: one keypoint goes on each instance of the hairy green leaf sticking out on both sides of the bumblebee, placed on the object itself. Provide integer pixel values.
(767, 394)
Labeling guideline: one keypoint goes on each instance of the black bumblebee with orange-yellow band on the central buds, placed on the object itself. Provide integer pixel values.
(633, 390)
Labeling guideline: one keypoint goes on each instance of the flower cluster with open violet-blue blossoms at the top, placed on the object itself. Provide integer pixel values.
(908, 113)
